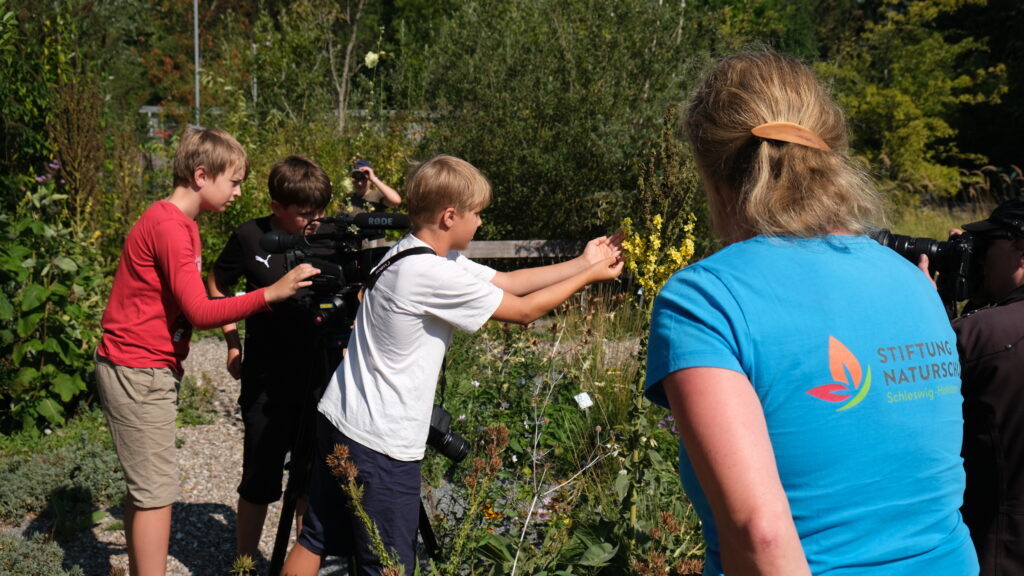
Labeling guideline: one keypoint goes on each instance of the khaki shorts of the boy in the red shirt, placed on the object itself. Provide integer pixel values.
(141, 405)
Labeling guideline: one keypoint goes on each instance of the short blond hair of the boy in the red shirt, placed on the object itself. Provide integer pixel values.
(212, 149)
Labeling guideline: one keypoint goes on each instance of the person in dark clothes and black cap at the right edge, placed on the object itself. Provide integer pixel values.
(990, 341)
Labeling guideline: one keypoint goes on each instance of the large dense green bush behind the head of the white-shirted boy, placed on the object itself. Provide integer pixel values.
(556, 102)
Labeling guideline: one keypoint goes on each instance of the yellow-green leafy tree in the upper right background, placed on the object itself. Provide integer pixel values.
(903, 79)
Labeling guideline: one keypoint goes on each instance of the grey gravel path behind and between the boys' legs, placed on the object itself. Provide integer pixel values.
(210, 464)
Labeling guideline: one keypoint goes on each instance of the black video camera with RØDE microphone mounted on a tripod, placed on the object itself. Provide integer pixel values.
(338, 253)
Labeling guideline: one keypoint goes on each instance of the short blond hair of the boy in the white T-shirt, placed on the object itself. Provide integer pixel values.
(444, 182)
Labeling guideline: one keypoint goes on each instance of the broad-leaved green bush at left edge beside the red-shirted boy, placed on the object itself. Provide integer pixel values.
(55, 290)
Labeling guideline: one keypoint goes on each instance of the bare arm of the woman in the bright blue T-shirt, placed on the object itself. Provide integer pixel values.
(723, 428)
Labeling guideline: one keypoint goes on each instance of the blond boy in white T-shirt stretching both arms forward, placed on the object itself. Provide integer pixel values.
(380, 400)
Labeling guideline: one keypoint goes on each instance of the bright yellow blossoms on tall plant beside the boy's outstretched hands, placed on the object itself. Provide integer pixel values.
(649, 261)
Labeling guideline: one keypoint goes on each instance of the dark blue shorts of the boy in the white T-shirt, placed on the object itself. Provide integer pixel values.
(392, 499)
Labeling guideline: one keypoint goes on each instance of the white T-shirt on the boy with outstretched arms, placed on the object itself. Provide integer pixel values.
(382, 393)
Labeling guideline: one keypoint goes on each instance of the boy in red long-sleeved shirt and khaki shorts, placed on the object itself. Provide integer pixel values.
(157, 299)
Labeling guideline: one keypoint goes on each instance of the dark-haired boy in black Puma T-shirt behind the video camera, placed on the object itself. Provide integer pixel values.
(283, 367)
